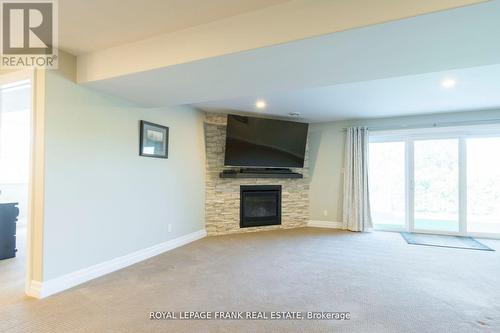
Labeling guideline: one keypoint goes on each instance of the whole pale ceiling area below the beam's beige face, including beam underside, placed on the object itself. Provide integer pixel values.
(381, 70)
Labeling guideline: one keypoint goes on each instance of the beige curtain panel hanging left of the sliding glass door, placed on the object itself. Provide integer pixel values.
(356, 212)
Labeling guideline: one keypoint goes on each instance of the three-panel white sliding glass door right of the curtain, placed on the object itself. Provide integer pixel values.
(446, 183)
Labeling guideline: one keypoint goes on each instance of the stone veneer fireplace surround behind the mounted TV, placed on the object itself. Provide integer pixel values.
(222, 198)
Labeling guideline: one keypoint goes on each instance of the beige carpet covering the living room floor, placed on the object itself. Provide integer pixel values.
(386, 285)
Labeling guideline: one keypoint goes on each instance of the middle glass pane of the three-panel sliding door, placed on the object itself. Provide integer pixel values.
(436, 185)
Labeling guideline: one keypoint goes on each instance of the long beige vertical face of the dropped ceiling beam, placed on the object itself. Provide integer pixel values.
(273, 25)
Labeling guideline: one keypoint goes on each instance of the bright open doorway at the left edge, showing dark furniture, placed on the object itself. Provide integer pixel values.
(15, 162)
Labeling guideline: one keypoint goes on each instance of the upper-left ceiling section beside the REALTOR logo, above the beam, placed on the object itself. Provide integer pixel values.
(90, 25)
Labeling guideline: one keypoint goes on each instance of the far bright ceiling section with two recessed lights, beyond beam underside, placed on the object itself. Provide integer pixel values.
(477, 88)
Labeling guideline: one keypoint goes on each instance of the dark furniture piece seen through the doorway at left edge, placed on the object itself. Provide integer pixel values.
(8, 219)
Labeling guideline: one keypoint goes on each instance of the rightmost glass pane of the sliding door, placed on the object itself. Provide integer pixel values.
(483, 185)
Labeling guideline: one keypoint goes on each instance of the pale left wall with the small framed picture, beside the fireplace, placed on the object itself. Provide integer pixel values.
(103, 200)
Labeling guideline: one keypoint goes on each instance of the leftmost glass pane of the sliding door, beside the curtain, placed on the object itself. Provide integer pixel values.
(387, 184)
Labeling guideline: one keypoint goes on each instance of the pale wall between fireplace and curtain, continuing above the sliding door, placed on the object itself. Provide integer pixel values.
(326, 156)
